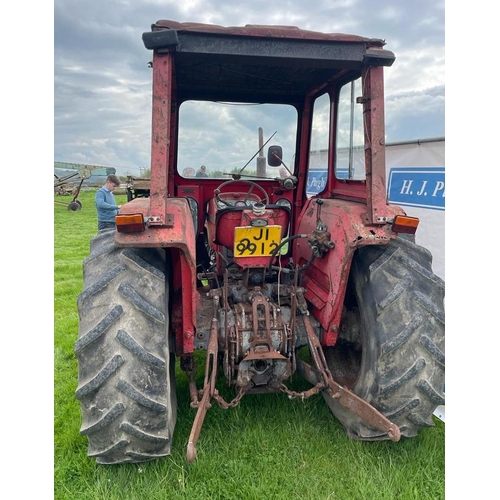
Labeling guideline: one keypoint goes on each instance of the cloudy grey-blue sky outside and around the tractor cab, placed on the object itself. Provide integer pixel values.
(102, 83)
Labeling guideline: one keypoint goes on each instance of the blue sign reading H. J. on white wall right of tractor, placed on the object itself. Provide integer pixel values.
(421, 187)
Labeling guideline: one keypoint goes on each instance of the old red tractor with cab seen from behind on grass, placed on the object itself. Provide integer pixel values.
(267, 266)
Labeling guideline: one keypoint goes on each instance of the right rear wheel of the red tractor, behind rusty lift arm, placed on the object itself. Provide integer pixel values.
(391, 346)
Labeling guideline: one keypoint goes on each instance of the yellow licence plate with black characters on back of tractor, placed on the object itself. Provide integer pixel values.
(256, 241)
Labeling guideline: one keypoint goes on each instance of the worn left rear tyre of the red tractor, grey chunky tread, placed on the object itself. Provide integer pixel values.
(126, 381)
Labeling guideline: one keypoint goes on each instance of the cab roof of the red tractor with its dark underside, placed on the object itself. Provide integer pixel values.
(256, 63)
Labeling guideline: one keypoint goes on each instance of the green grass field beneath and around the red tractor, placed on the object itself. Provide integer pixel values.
(267, 447)
